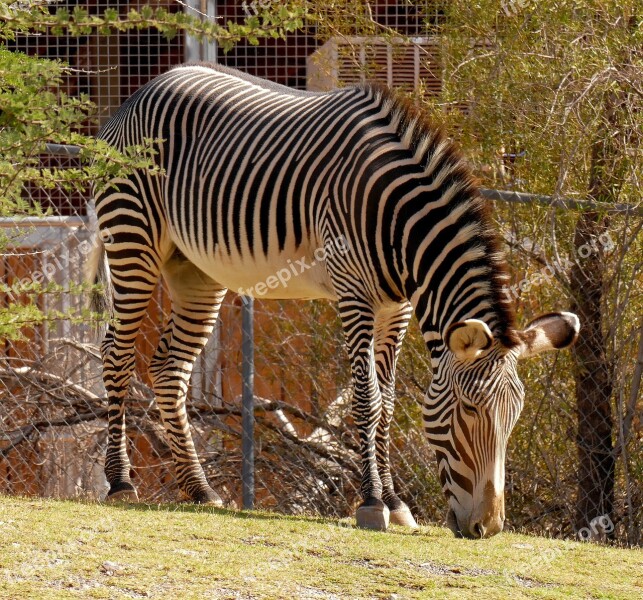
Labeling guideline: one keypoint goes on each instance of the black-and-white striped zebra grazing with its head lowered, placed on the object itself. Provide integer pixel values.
(254, 177)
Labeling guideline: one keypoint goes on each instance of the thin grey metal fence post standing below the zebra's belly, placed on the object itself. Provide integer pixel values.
(247, 408)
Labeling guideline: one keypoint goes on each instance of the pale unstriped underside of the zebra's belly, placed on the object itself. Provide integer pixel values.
(290, 275)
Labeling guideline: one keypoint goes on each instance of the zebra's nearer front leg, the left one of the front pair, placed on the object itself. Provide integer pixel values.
(357, 322)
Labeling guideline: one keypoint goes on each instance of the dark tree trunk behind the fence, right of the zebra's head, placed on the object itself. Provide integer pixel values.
(593, 373)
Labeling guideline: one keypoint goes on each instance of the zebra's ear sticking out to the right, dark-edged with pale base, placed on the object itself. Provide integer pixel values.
(552, 331)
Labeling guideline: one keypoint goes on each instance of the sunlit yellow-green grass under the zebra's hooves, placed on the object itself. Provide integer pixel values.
(57, 549)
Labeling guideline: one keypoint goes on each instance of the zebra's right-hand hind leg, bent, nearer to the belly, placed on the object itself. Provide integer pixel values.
(196, 300)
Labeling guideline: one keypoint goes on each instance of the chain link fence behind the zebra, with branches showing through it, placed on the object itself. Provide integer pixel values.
(53, 406)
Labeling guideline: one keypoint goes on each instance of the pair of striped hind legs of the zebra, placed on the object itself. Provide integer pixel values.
(139, 250)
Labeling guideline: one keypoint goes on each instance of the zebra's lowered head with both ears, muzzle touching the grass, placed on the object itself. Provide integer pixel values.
(471, 406)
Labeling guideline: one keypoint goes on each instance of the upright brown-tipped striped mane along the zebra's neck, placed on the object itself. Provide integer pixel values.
(422, 136)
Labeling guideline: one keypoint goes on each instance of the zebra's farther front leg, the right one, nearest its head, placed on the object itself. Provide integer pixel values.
(390, 327)
